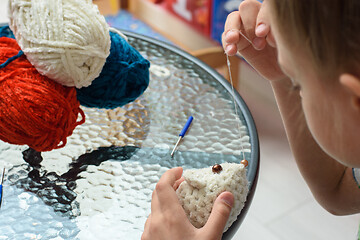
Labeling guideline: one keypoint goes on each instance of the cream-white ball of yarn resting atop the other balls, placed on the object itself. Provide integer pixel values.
(66, 40)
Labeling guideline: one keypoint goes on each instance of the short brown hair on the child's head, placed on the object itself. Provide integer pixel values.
(329, 30)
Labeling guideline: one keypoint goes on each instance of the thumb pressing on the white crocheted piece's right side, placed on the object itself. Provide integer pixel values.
(219, 215)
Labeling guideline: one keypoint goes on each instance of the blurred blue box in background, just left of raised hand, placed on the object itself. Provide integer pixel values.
(220, 11)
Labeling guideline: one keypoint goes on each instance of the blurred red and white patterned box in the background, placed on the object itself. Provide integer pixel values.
(197, 13)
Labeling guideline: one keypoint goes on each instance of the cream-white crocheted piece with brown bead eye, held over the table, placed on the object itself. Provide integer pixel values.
(201, 187)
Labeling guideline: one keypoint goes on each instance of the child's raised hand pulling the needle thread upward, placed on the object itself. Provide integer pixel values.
(253, 21)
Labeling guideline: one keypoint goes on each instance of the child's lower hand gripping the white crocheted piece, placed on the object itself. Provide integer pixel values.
(168, 219)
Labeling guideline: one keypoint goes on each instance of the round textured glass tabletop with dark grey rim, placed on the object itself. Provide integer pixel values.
(99, 185)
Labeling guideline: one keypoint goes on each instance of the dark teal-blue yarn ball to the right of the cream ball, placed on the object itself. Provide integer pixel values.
(124, 78)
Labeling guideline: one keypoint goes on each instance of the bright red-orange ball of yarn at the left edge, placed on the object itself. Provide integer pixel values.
(34, 110)
